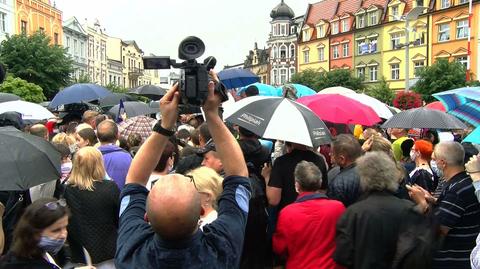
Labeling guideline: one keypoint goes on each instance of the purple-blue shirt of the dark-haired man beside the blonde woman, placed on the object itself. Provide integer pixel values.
(117, 161)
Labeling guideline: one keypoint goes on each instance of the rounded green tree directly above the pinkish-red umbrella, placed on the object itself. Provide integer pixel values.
(339, 77)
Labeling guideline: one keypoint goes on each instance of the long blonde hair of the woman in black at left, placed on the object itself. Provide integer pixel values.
(87, 168)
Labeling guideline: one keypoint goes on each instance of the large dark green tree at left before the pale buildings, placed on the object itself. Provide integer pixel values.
(35, 60)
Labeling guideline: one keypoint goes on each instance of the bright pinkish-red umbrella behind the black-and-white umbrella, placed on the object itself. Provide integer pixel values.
(338, 108)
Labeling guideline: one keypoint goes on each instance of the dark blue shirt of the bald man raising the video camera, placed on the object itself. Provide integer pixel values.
(218, 246)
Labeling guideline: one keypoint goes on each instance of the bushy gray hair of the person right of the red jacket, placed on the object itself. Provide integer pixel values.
(378, 172)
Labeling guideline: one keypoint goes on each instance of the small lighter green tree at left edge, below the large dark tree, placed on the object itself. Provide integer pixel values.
(27, 91)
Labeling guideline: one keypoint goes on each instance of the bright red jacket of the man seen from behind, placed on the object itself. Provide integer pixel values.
(305, 232)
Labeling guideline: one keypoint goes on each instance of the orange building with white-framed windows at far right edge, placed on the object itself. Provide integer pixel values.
(449, 28)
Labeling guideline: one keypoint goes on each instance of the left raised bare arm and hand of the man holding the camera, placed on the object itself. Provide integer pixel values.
(150, 152)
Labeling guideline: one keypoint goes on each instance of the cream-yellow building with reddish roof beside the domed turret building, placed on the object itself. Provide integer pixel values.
(313, 44)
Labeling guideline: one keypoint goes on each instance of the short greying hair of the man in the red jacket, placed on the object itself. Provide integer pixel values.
(308, 176)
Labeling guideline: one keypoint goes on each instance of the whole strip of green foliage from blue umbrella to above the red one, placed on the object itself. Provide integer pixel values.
(321, 80)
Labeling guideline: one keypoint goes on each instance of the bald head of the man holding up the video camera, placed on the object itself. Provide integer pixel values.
(173, 207)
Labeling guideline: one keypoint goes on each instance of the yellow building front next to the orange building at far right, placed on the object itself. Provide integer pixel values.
(394, 39)
